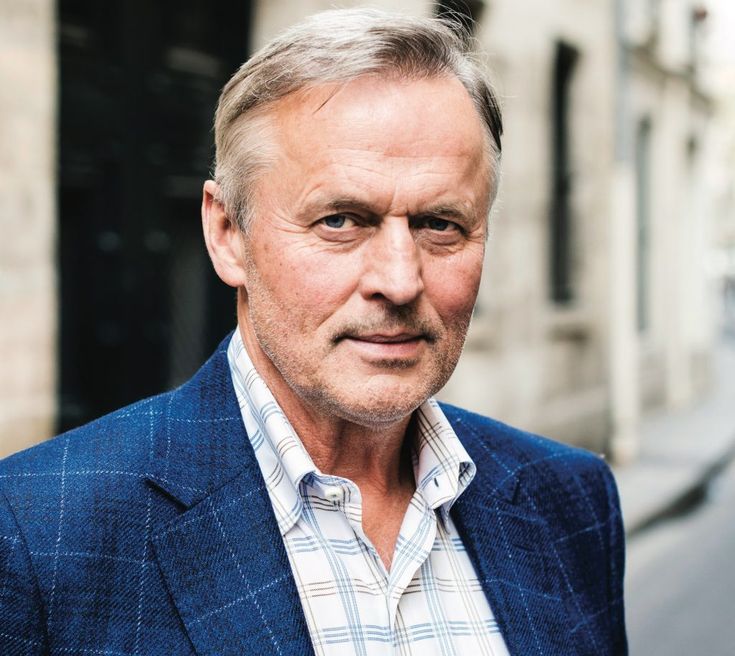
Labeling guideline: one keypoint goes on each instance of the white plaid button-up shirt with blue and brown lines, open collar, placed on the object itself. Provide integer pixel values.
(431, 601)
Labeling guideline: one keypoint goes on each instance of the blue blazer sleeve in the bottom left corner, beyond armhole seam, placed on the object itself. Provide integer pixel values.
(21, 616)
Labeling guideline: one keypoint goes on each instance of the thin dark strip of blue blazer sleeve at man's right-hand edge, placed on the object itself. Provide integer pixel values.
(616, 569)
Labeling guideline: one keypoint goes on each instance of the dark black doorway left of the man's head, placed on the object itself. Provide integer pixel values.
(139, 307)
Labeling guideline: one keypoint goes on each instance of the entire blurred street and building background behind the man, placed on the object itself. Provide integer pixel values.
(607, 313)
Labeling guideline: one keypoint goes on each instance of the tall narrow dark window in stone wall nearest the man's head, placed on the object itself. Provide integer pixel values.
(565, 61)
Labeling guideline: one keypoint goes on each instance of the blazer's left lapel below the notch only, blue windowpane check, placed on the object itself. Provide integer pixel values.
(229, 576)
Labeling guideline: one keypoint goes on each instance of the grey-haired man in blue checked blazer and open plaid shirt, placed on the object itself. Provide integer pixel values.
(303, 493)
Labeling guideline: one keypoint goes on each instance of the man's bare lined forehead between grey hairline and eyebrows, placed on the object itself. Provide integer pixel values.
(403, 143)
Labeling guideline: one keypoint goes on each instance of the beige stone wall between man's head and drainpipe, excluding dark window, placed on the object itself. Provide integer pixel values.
(532, 361)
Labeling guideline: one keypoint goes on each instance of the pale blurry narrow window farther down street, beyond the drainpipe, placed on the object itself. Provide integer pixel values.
(643, 220)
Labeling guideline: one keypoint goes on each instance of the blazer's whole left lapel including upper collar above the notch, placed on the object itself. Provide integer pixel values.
(216, 540)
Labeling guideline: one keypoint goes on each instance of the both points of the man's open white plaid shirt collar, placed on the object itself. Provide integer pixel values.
(442, 467)
